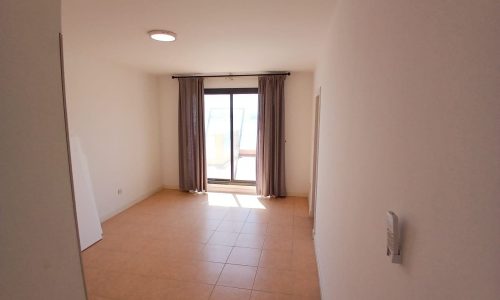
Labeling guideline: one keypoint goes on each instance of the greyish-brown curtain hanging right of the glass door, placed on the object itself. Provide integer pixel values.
(271, 136)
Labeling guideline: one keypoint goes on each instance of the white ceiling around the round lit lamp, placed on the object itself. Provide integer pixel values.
(212, 35)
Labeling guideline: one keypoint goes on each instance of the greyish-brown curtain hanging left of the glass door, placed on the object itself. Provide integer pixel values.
(192, 157)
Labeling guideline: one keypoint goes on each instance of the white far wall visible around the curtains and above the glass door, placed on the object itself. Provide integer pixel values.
(298, 106)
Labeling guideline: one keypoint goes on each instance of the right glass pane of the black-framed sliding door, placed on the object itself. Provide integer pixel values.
(245, 110)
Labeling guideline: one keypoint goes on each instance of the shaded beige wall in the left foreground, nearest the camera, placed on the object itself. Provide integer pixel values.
(39, 252)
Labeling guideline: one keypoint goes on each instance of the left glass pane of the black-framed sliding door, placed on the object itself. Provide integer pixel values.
(218, 136)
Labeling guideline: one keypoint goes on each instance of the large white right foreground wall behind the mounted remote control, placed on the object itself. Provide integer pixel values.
(410, 123)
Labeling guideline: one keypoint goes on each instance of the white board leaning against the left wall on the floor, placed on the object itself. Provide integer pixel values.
(89, 225)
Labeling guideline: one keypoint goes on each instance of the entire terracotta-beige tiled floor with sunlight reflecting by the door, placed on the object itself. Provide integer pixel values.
(177, 245)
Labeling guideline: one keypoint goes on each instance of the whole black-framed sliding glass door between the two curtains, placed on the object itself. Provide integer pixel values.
(231, 135)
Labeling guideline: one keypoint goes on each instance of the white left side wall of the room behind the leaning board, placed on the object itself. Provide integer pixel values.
(114, 111)
